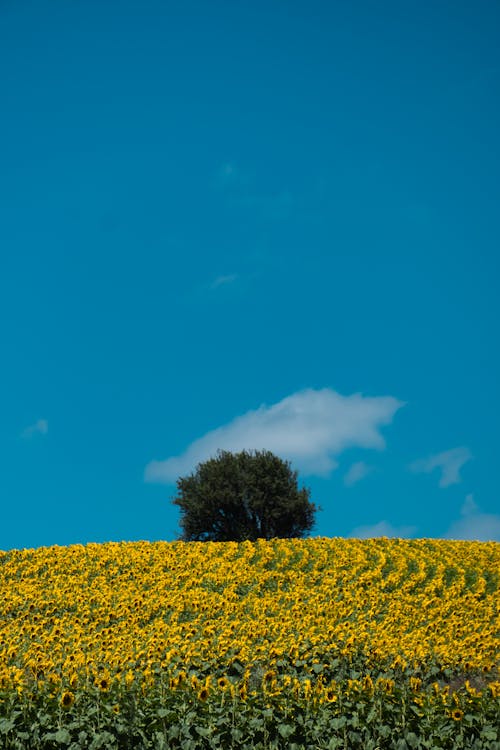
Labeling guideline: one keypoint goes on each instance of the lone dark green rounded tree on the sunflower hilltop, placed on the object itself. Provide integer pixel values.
(247, 495)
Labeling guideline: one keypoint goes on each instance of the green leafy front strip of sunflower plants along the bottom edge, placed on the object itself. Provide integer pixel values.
(166, 717)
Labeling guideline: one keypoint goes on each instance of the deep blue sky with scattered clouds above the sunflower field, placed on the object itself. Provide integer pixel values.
(249, 224)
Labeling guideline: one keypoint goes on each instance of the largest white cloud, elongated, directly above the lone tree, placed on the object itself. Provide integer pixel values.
(309, 428)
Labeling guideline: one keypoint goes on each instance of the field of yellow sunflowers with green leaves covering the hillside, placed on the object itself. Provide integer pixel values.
(316, 643)
